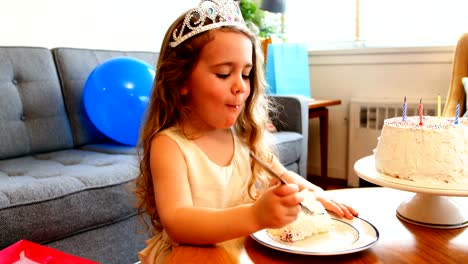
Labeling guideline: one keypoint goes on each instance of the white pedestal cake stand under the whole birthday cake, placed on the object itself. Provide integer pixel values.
(433, 205)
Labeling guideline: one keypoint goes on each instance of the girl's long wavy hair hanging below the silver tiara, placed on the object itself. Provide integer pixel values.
(167, 107)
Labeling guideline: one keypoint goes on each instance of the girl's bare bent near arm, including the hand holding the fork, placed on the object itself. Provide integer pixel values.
(185, 223)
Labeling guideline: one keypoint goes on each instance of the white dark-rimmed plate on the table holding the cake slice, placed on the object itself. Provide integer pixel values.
(346, 236)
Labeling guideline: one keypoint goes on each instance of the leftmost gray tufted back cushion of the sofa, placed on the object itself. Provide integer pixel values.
(32, 113)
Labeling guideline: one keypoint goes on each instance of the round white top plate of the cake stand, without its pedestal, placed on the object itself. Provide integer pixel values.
(365, 168)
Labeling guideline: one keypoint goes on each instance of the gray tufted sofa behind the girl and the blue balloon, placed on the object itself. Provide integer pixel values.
(63, 183)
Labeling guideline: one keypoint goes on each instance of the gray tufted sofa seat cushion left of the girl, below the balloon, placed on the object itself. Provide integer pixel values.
(46, 197)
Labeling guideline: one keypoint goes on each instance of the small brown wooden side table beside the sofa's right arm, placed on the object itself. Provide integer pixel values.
(318, 108)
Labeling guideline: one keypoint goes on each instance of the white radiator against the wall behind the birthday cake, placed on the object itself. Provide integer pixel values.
(367, 116)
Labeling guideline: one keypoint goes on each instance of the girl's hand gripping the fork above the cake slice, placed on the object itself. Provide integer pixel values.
(278, 206)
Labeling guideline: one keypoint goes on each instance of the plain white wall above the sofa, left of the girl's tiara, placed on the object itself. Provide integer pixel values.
(107, 24)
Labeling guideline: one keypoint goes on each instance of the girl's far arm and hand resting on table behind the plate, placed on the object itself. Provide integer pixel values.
(341, 209)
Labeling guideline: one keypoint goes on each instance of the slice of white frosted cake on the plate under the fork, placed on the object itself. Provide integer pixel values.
(306, 224)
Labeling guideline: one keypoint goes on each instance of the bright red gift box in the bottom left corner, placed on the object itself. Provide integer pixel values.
(25, 251)
